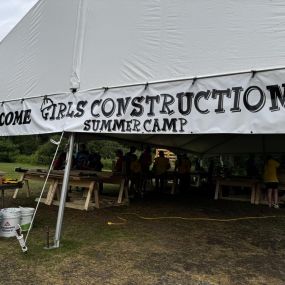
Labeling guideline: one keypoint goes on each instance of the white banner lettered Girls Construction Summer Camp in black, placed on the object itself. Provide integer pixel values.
(243, 103)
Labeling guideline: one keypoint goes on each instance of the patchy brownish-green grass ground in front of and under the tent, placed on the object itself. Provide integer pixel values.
(163, 251)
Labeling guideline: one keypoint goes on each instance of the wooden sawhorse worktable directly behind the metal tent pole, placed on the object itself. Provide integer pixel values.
(88, 180)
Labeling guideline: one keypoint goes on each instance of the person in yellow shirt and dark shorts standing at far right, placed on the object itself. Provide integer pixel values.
(271, 181)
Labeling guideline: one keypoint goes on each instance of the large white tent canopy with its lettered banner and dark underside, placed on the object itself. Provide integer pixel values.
(184, 69)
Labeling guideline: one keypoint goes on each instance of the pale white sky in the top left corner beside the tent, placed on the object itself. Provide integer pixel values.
(11, 12)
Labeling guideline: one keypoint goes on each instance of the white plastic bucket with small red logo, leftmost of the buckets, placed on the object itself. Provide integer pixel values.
(10, 218)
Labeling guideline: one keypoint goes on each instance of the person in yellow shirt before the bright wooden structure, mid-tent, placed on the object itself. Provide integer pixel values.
(160, 166)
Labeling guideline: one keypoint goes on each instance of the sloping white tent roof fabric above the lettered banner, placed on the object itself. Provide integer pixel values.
(115, 43)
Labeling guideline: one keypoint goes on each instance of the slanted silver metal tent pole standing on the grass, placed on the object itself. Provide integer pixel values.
(63, 192)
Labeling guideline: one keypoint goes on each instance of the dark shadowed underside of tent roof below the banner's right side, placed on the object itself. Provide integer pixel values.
(212, 144)
